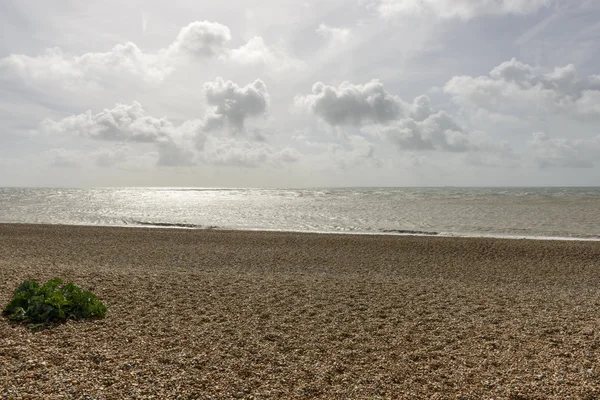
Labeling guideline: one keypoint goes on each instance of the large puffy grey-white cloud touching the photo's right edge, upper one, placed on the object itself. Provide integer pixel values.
(516, 88)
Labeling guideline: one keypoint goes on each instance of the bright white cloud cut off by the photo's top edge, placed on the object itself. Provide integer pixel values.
(463, 9)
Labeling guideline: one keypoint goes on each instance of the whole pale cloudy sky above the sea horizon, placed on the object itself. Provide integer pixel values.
(285, 93)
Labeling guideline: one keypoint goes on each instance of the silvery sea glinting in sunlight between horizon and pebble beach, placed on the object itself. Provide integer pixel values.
(515, 212)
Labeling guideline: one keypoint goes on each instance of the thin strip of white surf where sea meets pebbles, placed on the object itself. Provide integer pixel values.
(401, 233)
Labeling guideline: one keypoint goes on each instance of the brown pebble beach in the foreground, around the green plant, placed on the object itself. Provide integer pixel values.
(217, 314)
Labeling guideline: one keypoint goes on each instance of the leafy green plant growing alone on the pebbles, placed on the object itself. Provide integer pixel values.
(52, 302)
